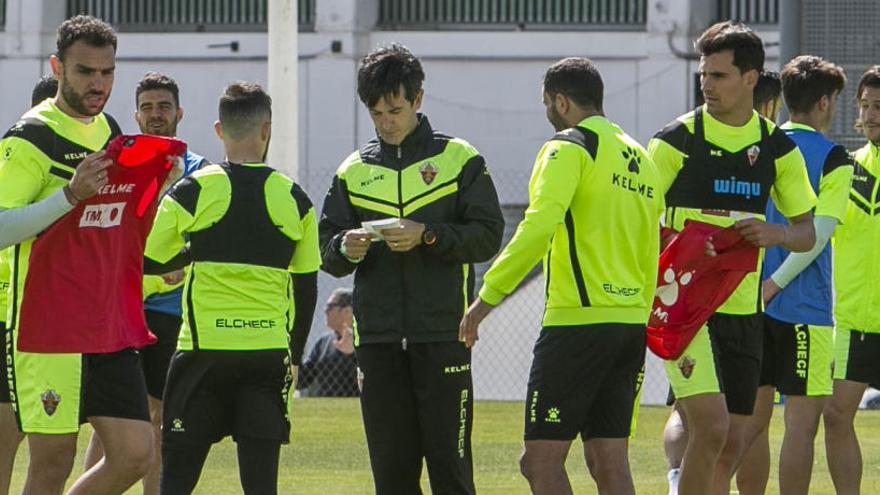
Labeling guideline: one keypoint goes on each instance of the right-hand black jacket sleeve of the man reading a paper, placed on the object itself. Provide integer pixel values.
(476, 234)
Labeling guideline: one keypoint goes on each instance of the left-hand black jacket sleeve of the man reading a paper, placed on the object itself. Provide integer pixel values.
(337, 217)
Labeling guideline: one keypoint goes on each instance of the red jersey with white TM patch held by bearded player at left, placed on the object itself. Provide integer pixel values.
(83, 291)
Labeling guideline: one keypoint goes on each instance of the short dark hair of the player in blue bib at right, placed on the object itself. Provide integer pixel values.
(807, 78)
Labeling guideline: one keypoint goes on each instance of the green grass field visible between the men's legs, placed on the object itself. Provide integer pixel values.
(328, 455)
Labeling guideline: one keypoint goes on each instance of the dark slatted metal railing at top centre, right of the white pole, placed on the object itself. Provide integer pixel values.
(512, 14)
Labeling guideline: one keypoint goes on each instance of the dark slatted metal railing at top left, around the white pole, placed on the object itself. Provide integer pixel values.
(187, 15)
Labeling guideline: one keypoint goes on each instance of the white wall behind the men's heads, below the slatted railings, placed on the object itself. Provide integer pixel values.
(484, 87)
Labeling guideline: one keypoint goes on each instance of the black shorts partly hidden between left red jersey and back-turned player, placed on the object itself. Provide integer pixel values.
(156, 358)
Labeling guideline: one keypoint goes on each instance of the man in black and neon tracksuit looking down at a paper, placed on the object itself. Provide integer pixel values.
(411, 286)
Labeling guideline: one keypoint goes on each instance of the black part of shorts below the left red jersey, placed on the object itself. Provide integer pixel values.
(113, 386)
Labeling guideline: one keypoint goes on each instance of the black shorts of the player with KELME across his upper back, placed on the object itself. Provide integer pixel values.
(584, 380)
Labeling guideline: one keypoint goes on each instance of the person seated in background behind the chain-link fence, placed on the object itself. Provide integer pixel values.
(330, 370)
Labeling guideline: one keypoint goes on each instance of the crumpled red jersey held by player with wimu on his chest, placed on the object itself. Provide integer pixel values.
(691, 285)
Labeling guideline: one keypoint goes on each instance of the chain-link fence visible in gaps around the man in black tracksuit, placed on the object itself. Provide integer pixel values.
(502, 358)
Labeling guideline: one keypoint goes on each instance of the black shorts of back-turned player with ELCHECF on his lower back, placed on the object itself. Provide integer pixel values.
(212, 394)
